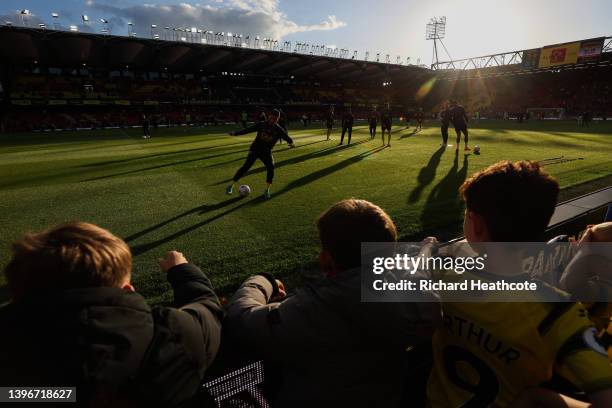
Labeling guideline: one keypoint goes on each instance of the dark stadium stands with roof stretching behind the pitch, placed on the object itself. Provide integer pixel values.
(54, 79)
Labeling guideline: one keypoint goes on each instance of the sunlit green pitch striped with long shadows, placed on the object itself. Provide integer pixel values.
(168, 192)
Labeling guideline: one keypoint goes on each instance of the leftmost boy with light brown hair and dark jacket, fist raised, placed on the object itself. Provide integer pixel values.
(76, 320)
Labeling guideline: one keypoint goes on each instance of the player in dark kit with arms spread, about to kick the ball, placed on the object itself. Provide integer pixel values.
(268, 133)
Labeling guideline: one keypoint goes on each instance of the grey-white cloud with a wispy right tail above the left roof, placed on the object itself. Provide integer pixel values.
(248, 17)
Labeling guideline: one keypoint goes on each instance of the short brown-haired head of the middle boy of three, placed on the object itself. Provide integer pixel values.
(342, 229)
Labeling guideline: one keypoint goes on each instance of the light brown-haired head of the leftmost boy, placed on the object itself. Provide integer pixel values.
(69, 256)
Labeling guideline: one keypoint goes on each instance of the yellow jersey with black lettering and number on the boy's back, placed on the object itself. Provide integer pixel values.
(485, 354)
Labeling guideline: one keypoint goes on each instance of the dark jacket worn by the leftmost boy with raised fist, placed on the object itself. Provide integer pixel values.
(111, 345)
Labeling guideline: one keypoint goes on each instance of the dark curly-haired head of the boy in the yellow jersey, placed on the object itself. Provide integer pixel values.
(509, 202)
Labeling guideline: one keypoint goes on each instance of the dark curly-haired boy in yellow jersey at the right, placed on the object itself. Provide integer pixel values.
(478, 361)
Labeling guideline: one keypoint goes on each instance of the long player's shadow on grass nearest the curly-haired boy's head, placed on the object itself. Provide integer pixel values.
(443, 205)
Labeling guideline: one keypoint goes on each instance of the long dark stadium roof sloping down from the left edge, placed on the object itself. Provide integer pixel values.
(28, 46)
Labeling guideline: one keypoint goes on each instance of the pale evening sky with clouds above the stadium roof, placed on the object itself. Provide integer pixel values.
(395, 27)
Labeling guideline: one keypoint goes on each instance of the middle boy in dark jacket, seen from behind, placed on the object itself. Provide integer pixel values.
(332, 349)
